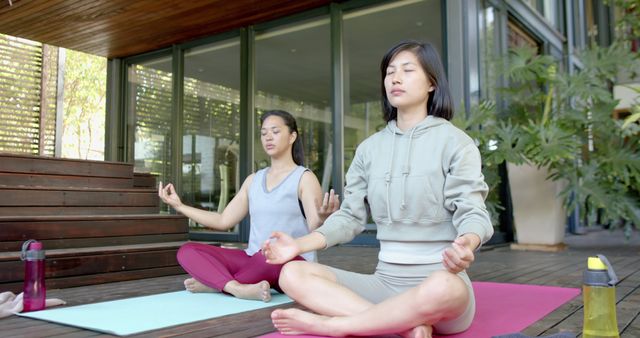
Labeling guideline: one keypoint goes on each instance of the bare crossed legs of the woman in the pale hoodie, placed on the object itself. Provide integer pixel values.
(412, 313)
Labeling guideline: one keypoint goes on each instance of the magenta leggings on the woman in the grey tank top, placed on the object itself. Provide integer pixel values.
(215, 267)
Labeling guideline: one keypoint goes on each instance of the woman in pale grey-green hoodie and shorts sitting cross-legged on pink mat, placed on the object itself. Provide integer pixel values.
(422, 179)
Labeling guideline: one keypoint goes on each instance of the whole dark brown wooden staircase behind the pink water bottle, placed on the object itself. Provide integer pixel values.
(98, 221)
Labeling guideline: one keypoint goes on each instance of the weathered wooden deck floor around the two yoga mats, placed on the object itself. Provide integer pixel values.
(497, 264)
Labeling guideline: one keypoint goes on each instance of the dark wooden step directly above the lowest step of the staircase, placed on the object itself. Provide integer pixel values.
(59, 232)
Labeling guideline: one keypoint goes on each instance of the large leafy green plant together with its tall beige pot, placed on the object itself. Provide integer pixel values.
(563, 147)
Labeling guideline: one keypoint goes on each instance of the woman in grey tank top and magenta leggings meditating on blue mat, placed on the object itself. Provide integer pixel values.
(285, 196)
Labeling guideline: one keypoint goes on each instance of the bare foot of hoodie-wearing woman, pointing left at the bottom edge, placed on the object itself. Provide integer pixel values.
(296, 322)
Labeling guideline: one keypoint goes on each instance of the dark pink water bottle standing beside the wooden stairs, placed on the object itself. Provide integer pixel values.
(34, 290)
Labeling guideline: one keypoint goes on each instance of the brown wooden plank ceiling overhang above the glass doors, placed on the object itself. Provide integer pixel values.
(121, 28)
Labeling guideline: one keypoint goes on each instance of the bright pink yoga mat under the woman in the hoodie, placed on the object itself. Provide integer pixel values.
(505, 308)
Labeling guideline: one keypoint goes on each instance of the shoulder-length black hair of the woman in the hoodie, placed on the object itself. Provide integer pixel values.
(439, 103)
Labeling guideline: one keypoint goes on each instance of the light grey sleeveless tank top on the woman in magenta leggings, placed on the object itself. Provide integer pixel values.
(276, 210)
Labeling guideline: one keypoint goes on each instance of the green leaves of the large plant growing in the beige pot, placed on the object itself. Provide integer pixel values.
(564, 122)
